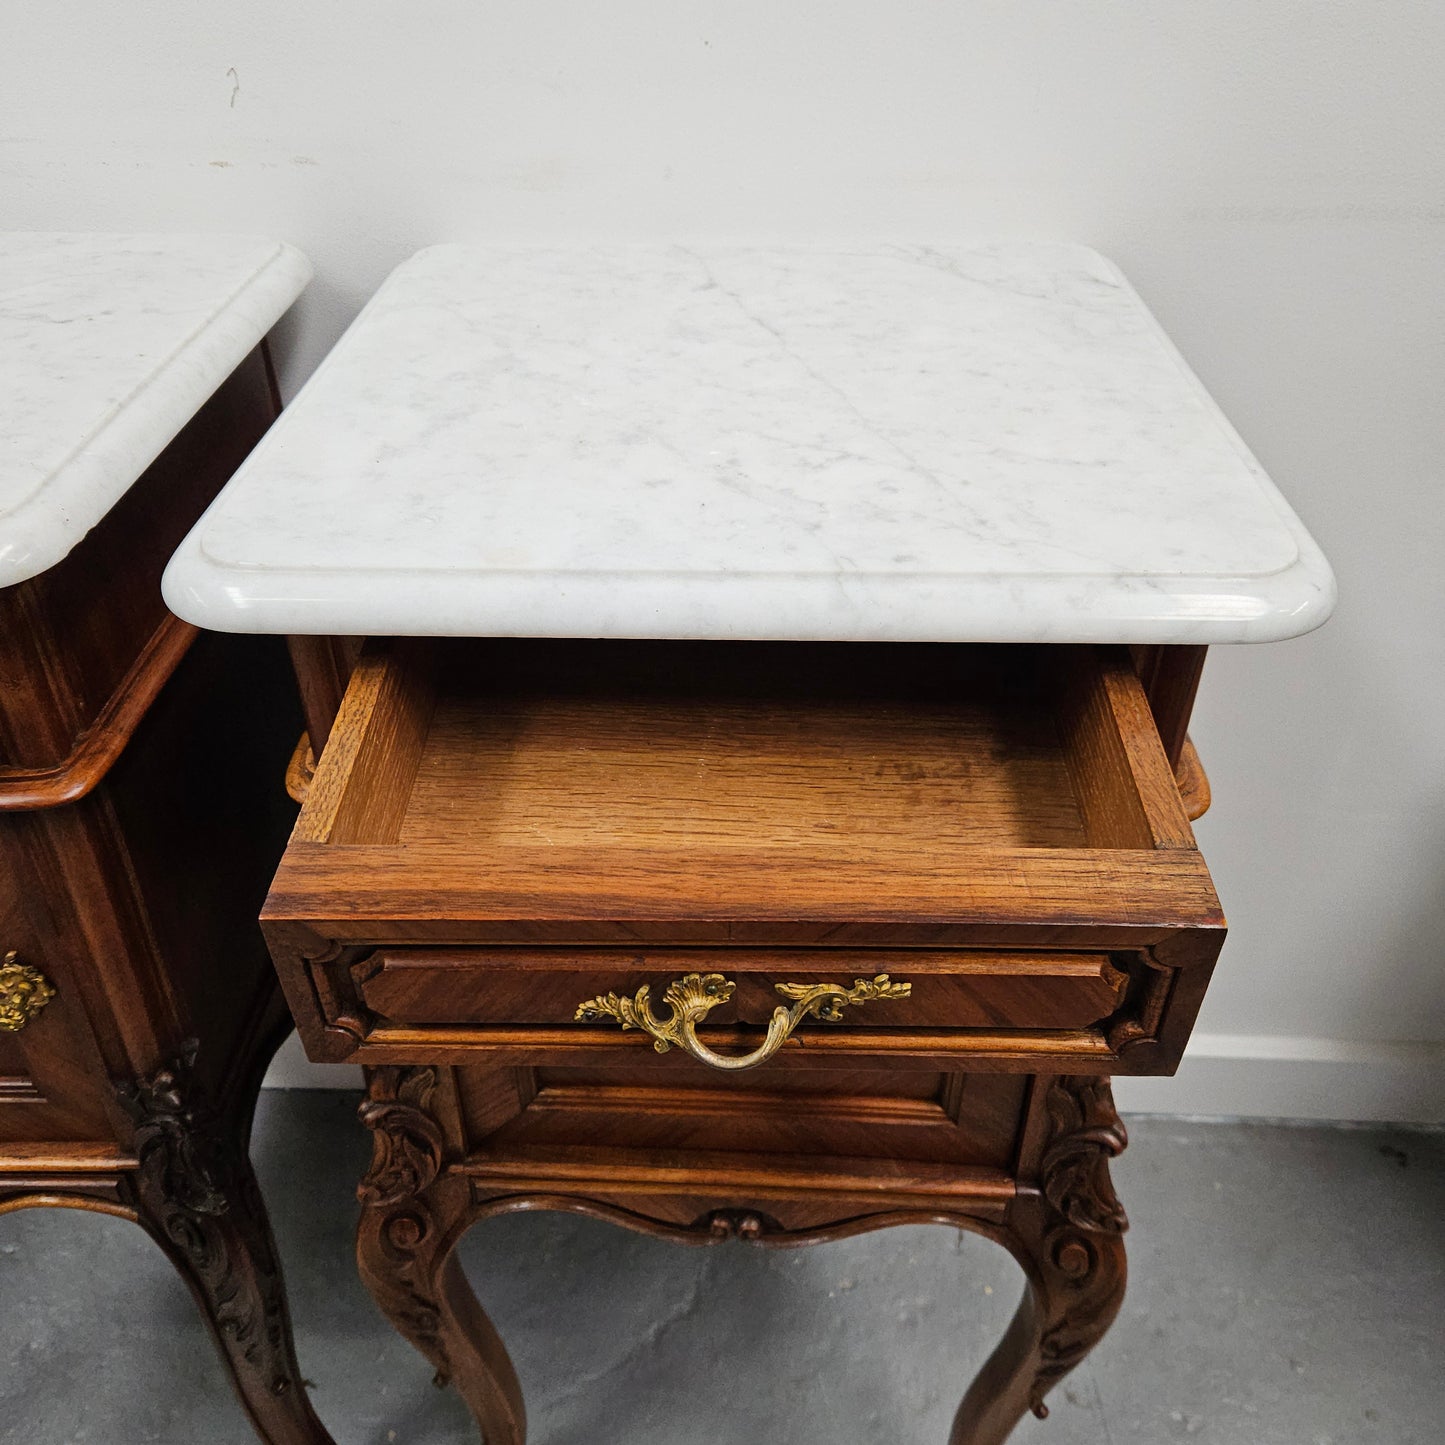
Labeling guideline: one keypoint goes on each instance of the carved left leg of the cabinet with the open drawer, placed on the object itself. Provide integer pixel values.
(413, 1219)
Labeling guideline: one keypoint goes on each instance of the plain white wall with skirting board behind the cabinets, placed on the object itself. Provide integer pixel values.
(1269, 173)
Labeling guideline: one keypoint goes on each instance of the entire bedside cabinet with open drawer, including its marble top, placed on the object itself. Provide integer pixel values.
(764, 806)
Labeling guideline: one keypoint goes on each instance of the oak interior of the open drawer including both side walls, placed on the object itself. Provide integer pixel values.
(761, 754)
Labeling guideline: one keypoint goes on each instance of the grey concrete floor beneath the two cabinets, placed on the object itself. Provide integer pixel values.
(1288, 1288)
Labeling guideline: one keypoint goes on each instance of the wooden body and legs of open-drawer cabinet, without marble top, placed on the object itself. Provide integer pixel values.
(924, 897)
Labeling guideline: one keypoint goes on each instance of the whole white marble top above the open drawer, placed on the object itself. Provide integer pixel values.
(872, 441)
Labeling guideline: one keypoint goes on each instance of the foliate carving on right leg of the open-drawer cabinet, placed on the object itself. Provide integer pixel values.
(1083, 1252)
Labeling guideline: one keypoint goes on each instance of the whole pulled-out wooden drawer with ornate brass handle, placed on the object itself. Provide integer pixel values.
(501, 837)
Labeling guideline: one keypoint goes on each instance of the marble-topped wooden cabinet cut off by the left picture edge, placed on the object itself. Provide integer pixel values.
(139, 806)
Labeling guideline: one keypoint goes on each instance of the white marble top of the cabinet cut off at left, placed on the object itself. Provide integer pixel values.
(109, 345)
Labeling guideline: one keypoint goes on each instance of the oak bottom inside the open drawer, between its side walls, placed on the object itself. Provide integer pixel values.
(751, 751)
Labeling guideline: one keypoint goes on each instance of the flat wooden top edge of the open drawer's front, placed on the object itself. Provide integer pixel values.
(1087, 895)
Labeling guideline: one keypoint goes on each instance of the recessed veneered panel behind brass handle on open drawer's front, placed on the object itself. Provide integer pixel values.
(949, 989)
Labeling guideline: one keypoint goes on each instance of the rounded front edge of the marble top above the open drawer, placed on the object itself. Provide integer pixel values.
(752, 608)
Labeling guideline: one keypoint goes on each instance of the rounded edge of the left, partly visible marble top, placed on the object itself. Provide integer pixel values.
(41, 534)
